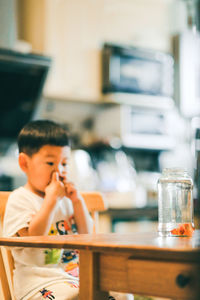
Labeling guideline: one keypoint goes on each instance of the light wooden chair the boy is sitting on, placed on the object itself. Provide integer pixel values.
(94, 202)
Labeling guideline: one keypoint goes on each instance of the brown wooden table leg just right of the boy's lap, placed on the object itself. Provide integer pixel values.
(89, 277)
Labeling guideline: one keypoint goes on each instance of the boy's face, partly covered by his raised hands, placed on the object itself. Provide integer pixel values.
(41, 165)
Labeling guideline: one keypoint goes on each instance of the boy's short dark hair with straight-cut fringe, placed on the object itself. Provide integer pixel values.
(39, 133)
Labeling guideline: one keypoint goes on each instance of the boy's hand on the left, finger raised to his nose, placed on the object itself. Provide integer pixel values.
(55, 190)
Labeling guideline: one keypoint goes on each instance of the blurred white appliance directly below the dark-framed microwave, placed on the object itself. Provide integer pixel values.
(136, 127)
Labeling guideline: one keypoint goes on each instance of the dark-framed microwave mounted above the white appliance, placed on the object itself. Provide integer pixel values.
(135, 70)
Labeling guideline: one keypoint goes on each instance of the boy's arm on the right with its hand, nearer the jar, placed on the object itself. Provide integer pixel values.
(82, 217)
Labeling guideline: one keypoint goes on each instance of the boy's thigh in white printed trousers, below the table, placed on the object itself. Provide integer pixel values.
(57, 291)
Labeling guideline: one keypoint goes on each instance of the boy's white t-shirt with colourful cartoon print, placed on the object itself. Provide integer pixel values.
(37, 268)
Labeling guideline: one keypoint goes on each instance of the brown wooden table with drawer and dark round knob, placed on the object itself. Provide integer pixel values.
(140, 263)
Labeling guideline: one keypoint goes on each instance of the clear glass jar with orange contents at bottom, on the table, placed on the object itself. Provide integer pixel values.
(175, 203)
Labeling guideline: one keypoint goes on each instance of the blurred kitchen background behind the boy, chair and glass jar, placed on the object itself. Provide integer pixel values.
(123, 76)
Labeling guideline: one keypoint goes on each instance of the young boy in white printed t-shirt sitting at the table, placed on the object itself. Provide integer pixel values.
(47, 204)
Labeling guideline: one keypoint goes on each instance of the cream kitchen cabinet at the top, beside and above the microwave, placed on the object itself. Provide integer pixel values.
(72, 32)
